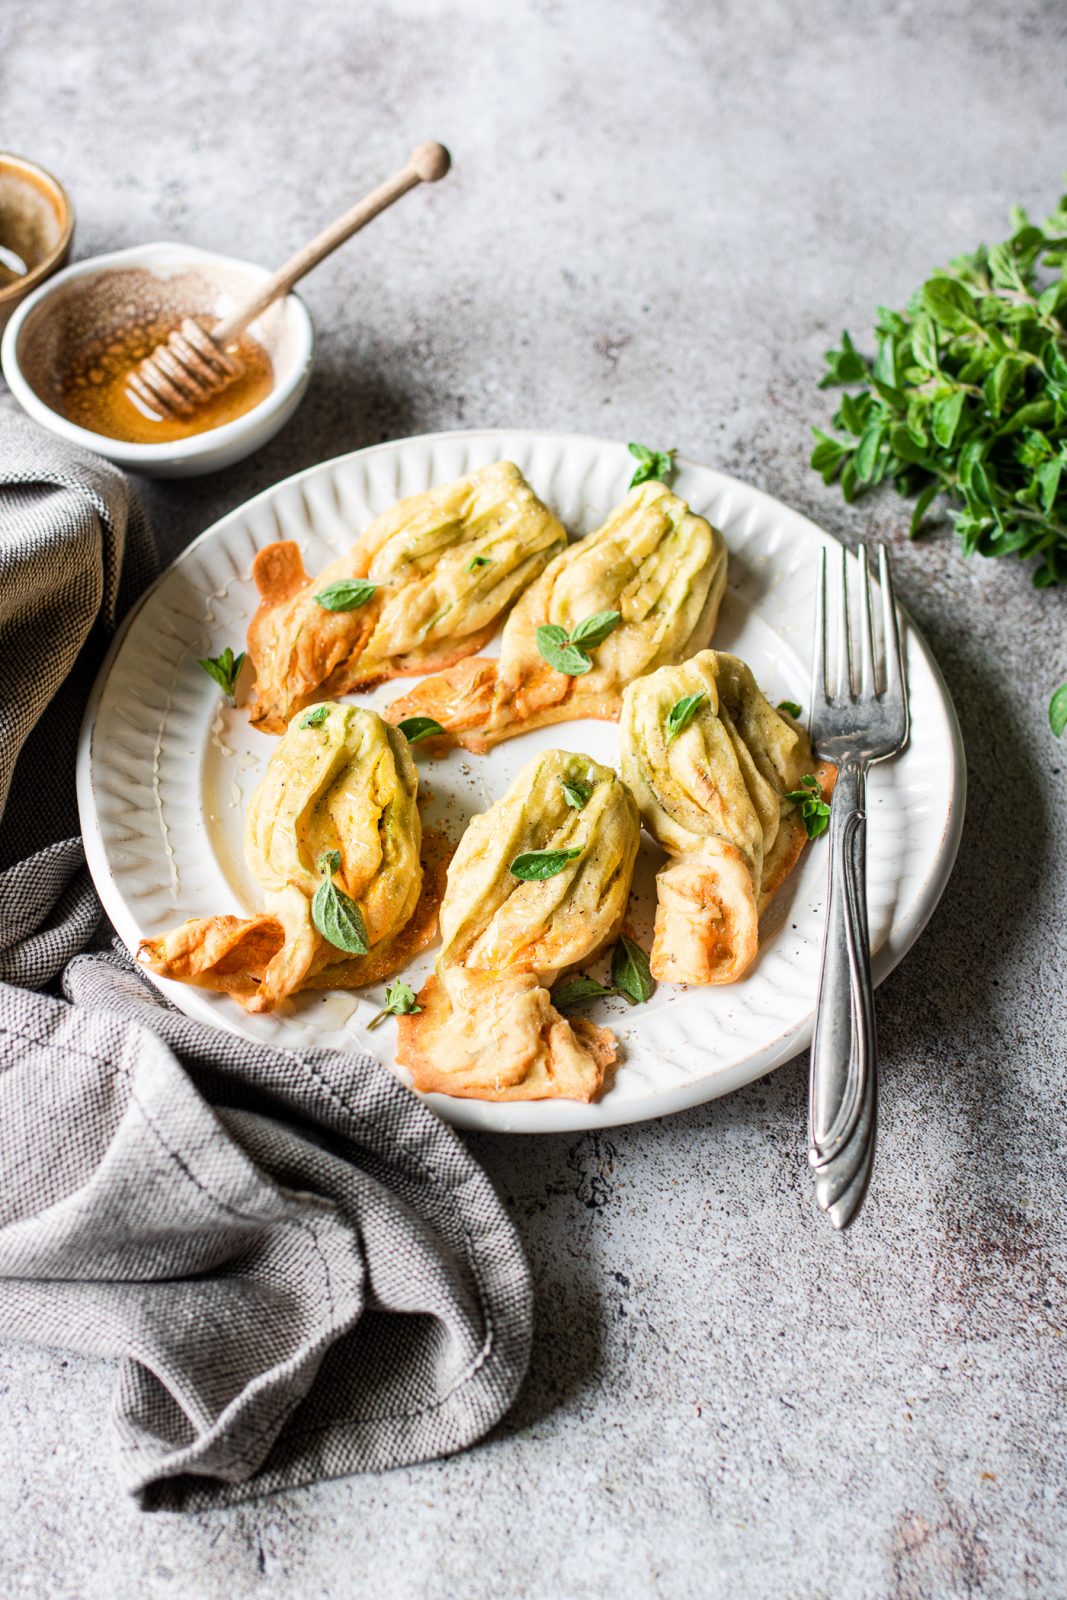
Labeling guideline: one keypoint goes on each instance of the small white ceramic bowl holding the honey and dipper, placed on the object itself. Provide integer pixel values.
(65, 310)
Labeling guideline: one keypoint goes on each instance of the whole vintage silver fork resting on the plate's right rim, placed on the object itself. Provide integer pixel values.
(853, 724)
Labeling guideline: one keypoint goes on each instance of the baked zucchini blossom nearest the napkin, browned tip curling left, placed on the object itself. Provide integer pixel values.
(334, 838)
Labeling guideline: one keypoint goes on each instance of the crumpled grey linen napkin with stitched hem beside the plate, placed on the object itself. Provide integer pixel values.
(300, 1270)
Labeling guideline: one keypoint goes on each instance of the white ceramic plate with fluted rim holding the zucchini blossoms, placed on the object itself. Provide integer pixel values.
(166, 770)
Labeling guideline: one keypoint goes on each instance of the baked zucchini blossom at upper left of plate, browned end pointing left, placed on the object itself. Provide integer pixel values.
(425, 586)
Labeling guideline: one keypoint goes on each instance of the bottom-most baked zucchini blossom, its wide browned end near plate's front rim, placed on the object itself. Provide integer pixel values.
(533, 889)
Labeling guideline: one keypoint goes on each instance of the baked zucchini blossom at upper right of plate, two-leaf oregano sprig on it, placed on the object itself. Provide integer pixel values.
(637, 594)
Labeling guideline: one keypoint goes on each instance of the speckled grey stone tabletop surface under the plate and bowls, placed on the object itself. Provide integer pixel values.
(661, 214)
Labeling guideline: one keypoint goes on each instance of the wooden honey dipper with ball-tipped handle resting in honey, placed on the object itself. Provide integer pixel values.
(194, 364)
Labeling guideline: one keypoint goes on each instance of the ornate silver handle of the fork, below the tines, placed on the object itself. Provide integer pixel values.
(844, 1050)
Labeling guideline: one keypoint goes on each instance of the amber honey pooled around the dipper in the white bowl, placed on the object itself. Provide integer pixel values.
(90, 390)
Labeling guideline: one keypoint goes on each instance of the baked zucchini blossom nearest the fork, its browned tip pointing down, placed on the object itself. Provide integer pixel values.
(711, 766)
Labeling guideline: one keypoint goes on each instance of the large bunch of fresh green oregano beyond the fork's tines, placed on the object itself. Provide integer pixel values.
(967, 399)
